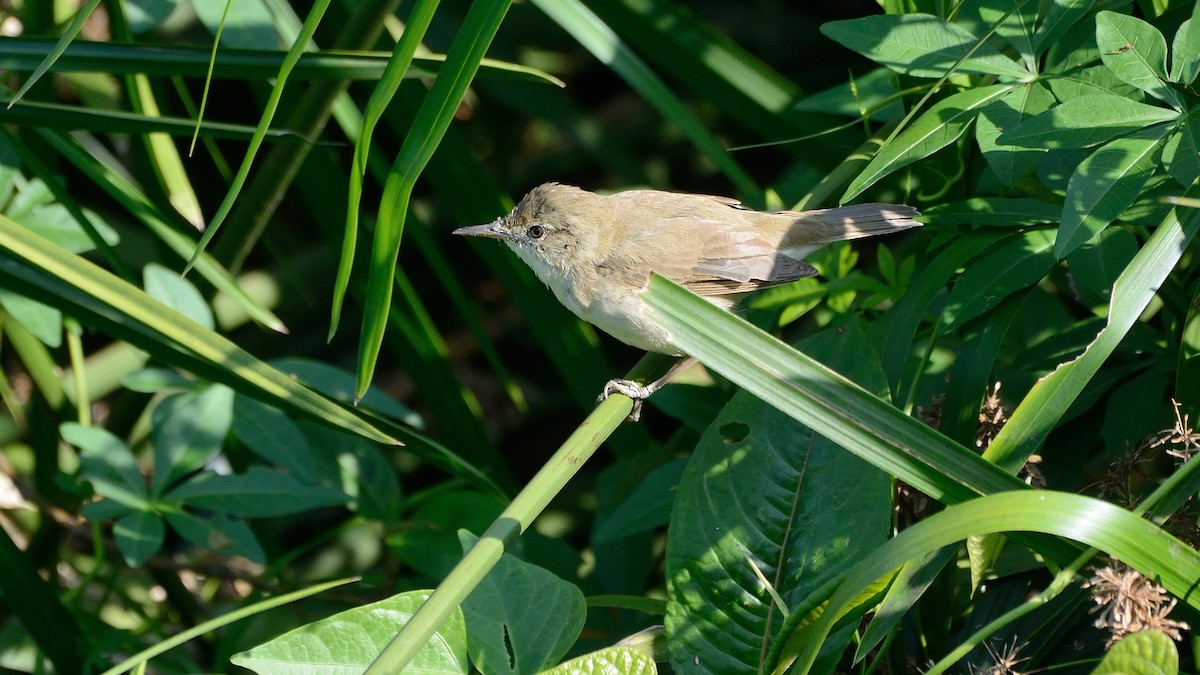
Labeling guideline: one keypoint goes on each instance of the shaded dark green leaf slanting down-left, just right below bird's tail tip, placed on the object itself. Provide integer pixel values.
(1018, 264)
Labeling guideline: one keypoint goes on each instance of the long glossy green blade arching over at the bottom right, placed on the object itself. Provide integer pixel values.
(1137, 542)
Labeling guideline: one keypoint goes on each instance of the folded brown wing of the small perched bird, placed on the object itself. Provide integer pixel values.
(727, 259)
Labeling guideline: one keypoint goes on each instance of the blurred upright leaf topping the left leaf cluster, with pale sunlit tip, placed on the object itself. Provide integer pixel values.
(189, 431)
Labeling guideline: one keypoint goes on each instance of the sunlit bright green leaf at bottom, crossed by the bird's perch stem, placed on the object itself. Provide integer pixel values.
(349, 642)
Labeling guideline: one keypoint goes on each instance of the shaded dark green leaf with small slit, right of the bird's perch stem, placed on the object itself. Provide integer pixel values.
(521, 618)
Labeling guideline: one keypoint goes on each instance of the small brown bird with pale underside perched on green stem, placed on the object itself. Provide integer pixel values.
(597, 253)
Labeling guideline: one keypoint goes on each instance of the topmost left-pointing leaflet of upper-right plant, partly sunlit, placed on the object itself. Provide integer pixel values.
(921, 46)
